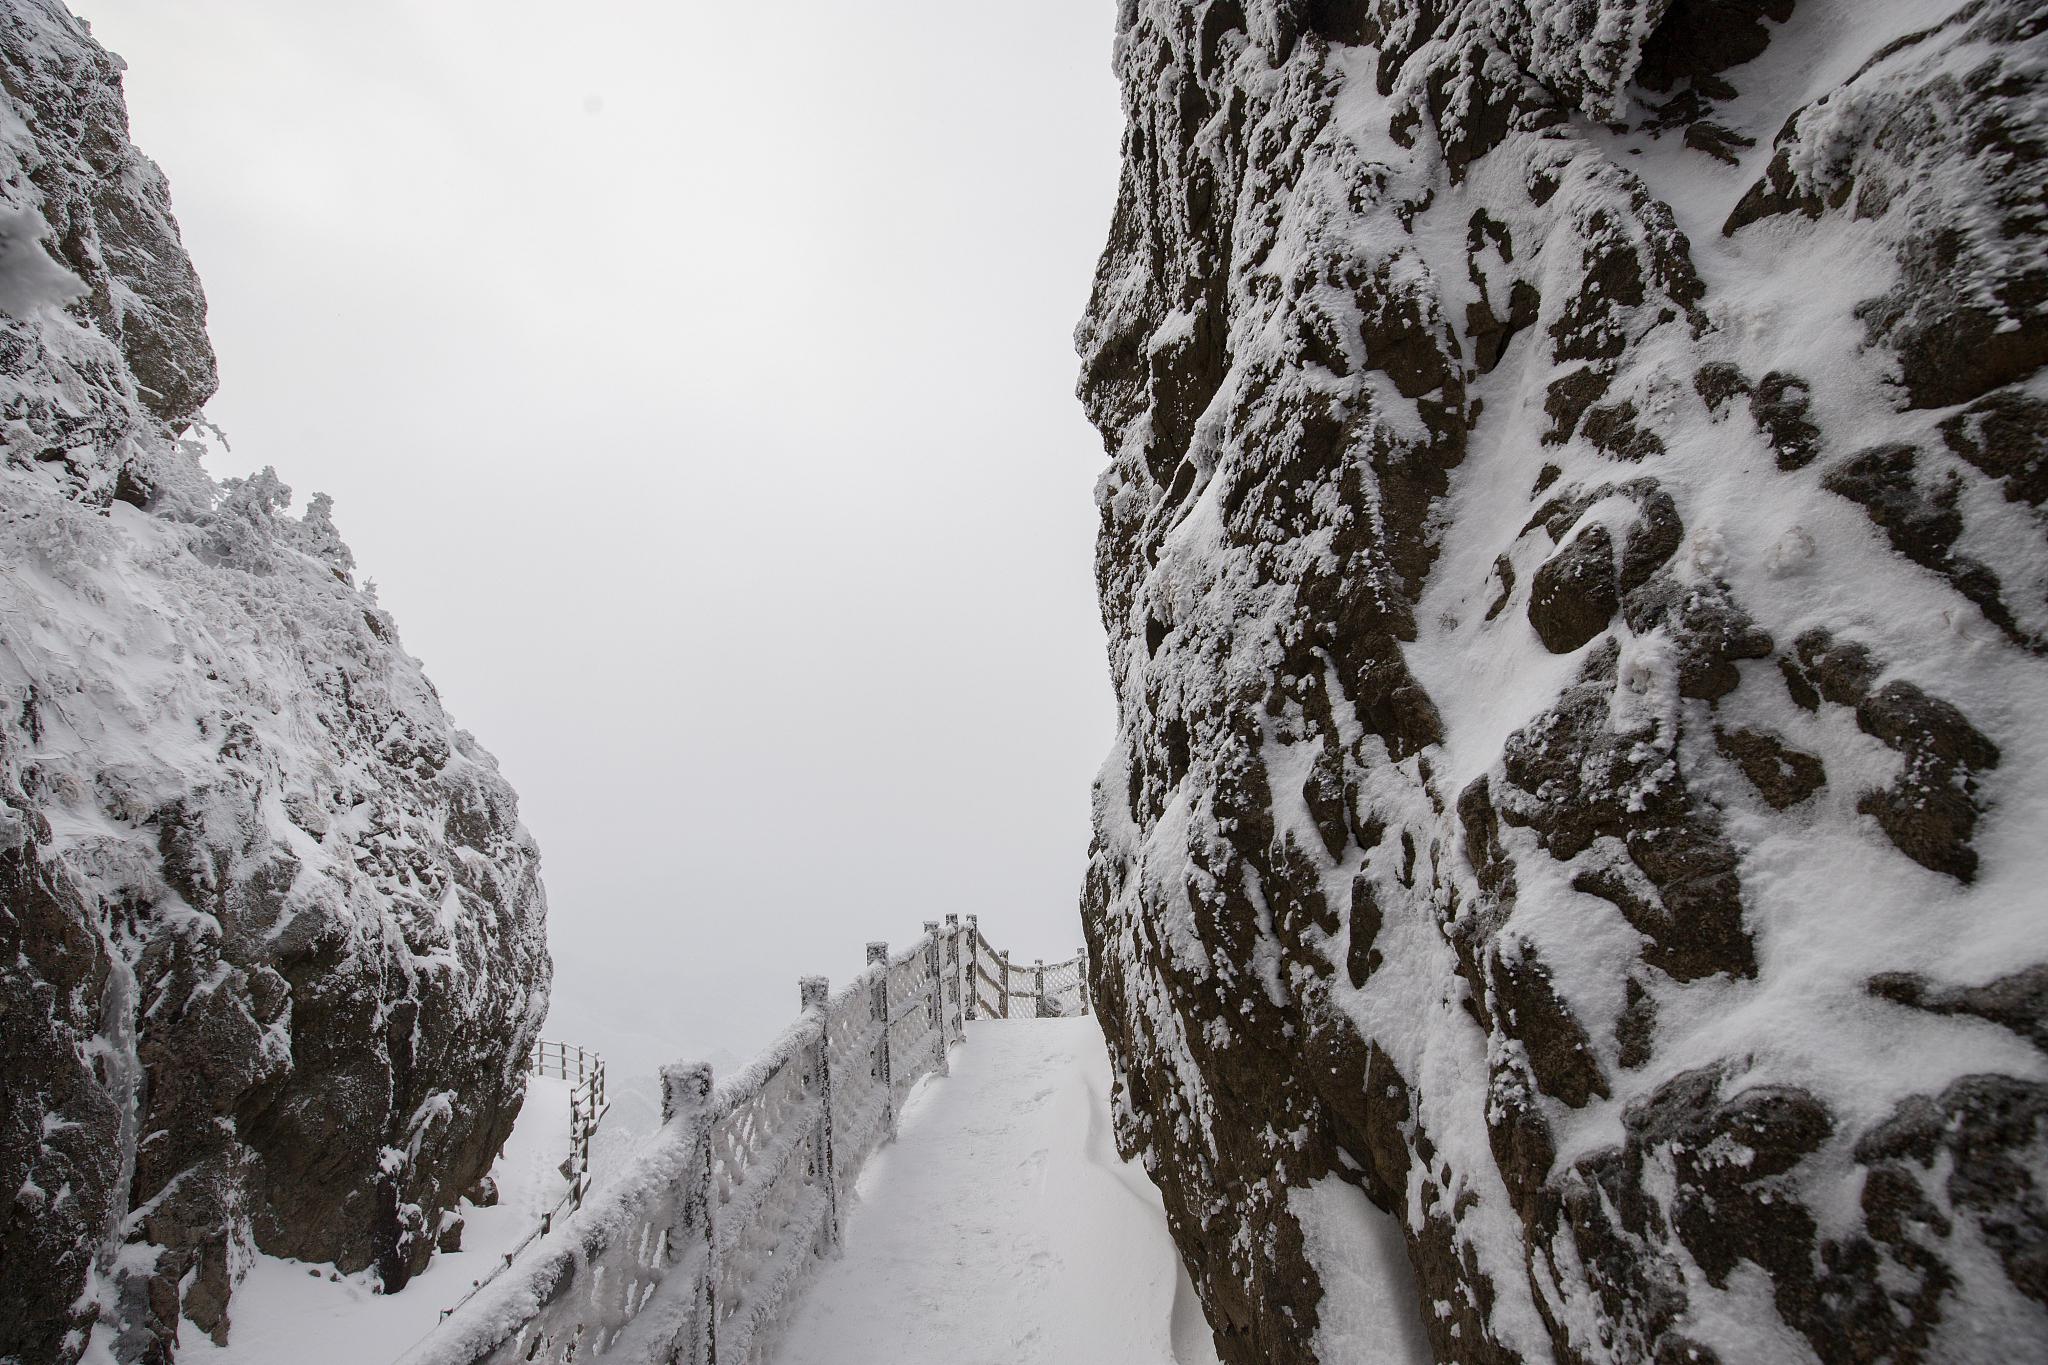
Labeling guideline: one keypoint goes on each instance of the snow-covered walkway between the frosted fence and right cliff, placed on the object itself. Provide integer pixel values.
(1002, 1229)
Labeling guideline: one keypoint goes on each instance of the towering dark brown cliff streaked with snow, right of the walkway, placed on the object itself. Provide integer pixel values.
(1576, 570)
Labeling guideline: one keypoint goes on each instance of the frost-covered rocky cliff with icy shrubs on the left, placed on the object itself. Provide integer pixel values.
(271, 934)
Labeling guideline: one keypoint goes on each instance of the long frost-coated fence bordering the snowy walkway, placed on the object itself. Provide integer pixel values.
(695, 1253)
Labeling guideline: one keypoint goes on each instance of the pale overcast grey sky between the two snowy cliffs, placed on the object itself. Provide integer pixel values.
(695, 382)
